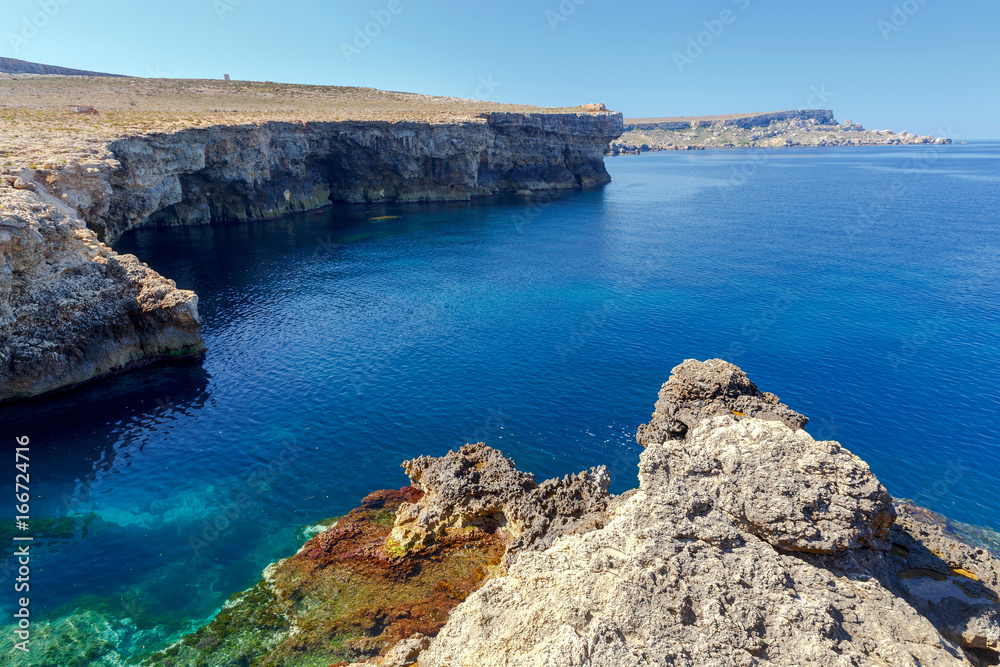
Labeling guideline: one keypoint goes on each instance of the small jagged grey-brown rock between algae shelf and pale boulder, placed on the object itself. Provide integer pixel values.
(477, 486)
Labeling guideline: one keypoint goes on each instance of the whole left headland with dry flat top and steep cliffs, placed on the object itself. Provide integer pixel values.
(84, 159)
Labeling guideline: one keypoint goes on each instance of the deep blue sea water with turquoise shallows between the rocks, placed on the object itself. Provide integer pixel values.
(861, 285)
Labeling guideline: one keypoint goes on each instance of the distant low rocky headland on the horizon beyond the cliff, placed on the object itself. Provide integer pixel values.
(779, 129)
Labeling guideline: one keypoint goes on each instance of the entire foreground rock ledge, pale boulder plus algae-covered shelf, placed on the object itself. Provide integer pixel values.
(747, 542)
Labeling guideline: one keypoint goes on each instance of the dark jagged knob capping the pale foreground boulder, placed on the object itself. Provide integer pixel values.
(698, 390)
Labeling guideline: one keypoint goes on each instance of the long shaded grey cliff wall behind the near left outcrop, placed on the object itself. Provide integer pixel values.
(267, 170)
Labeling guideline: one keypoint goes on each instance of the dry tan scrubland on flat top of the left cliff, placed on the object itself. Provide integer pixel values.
(37, 125)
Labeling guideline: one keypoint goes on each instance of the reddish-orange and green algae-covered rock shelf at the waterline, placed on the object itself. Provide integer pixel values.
(343, 597)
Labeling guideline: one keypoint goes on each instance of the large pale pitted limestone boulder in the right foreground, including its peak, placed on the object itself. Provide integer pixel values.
(700, 567)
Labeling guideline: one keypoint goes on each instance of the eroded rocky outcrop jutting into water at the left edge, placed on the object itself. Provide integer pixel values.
(71, 309)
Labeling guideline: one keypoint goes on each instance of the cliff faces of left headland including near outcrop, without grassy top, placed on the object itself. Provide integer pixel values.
(82, 311)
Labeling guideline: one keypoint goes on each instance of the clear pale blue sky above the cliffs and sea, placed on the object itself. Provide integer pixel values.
(930, 67)
